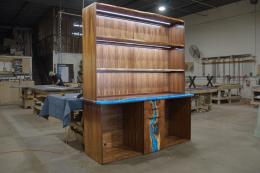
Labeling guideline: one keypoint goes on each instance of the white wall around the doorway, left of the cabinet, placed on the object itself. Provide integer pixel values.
(69, 58)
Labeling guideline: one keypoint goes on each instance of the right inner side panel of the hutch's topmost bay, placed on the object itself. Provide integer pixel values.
(176, 35)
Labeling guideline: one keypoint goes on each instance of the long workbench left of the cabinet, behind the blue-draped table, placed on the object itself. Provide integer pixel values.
(40, 92)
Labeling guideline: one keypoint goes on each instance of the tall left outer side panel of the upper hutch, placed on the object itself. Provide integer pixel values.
(89, 52)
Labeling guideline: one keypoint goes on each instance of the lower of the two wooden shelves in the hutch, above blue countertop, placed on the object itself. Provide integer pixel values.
(139, 70)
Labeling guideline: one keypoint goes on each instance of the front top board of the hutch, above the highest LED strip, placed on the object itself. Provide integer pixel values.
(136, 13)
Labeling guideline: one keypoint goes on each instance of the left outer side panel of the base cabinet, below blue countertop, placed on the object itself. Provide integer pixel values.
(92, 131)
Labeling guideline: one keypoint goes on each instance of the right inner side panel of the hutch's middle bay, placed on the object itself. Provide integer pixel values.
(177, 59)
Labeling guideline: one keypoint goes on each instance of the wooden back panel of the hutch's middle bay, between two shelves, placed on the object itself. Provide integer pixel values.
(111, 56)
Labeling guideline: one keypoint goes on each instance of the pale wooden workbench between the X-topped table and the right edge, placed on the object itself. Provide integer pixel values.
(224, 93)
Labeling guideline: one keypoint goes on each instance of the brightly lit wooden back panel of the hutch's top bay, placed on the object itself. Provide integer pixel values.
(125, 29)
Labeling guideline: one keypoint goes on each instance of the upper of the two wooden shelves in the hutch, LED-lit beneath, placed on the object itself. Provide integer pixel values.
(134, 42)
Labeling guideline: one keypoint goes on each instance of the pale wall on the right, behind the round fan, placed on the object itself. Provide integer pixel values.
(227, 30)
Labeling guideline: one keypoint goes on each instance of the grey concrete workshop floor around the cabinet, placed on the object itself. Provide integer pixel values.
(222, 142)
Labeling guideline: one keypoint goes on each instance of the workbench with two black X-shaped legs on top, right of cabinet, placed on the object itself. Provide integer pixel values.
(202, 99)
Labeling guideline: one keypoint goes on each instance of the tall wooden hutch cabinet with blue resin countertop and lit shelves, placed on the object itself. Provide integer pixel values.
(133, 83)
